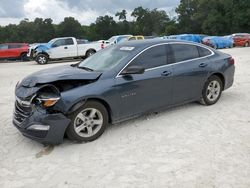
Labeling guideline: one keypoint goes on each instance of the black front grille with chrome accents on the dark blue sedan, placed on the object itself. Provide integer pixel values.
(21, 113)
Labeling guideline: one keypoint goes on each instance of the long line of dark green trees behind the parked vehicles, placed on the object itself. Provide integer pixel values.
(214, 17)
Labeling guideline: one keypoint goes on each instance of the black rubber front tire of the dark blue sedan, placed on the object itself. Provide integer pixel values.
(71, 132)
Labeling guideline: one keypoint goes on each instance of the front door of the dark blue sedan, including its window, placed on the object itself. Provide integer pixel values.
(139, 93)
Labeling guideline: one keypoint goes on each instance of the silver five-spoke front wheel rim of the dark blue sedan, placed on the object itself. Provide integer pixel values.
(88, 122)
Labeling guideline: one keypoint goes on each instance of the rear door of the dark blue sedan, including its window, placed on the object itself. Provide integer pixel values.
(190, 70)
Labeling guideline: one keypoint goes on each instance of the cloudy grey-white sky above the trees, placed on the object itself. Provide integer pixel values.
(85, 11)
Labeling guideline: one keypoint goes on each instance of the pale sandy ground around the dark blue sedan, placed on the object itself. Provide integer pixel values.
(190, 146)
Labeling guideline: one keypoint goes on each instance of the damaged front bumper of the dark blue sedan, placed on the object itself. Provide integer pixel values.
(39, 125)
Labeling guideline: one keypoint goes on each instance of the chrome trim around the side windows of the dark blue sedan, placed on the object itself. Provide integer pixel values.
(212, 53)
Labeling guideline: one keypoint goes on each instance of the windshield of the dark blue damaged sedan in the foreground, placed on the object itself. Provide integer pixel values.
(106, 59)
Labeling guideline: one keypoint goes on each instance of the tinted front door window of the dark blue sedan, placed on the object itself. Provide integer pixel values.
(153, 57)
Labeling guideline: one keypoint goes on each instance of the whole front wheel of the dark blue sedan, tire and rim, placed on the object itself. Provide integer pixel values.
(88, 123)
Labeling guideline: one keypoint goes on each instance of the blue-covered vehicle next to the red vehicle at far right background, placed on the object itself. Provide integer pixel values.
(218, 42)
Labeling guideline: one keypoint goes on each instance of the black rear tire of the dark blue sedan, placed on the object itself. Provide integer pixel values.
(206, 100)
